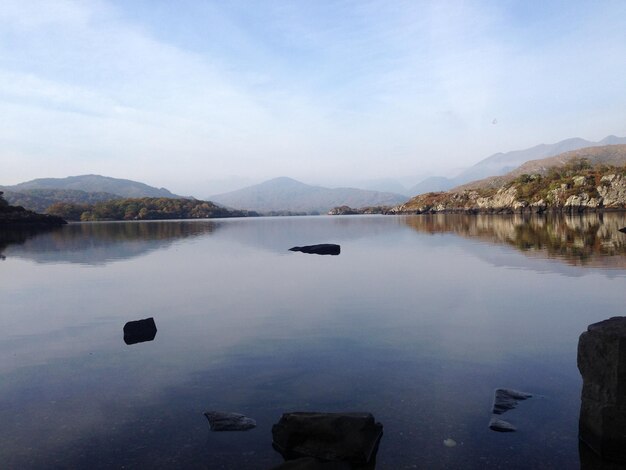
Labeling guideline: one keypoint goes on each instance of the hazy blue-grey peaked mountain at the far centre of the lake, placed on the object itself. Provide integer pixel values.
(286, 194)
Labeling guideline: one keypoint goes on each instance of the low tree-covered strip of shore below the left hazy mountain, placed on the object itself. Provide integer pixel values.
(144, 209)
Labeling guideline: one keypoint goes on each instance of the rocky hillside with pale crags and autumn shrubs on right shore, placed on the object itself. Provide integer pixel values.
(577, 186)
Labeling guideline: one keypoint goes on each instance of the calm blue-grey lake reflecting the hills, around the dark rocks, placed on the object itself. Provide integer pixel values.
(417, 321)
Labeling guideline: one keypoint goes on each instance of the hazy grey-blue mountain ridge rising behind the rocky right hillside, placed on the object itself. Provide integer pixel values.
(502, 163)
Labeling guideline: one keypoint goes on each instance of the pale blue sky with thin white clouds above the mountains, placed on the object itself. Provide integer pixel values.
(187, 94)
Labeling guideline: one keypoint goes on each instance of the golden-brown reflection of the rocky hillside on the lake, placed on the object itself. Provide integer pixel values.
(587, 240)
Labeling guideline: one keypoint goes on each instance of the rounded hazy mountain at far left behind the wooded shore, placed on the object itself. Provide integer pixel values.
(95, 183)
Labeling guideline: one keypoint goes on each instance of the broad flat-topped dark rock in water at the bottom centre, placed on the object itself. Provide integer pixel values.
(339, 437)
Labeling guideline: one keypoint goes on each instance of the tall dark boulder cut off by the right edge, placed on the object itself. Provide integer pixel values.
(602, 364)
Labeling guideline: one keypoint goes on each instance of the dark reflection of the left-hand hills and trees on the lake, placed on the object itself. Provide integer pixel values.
(99, 243)
